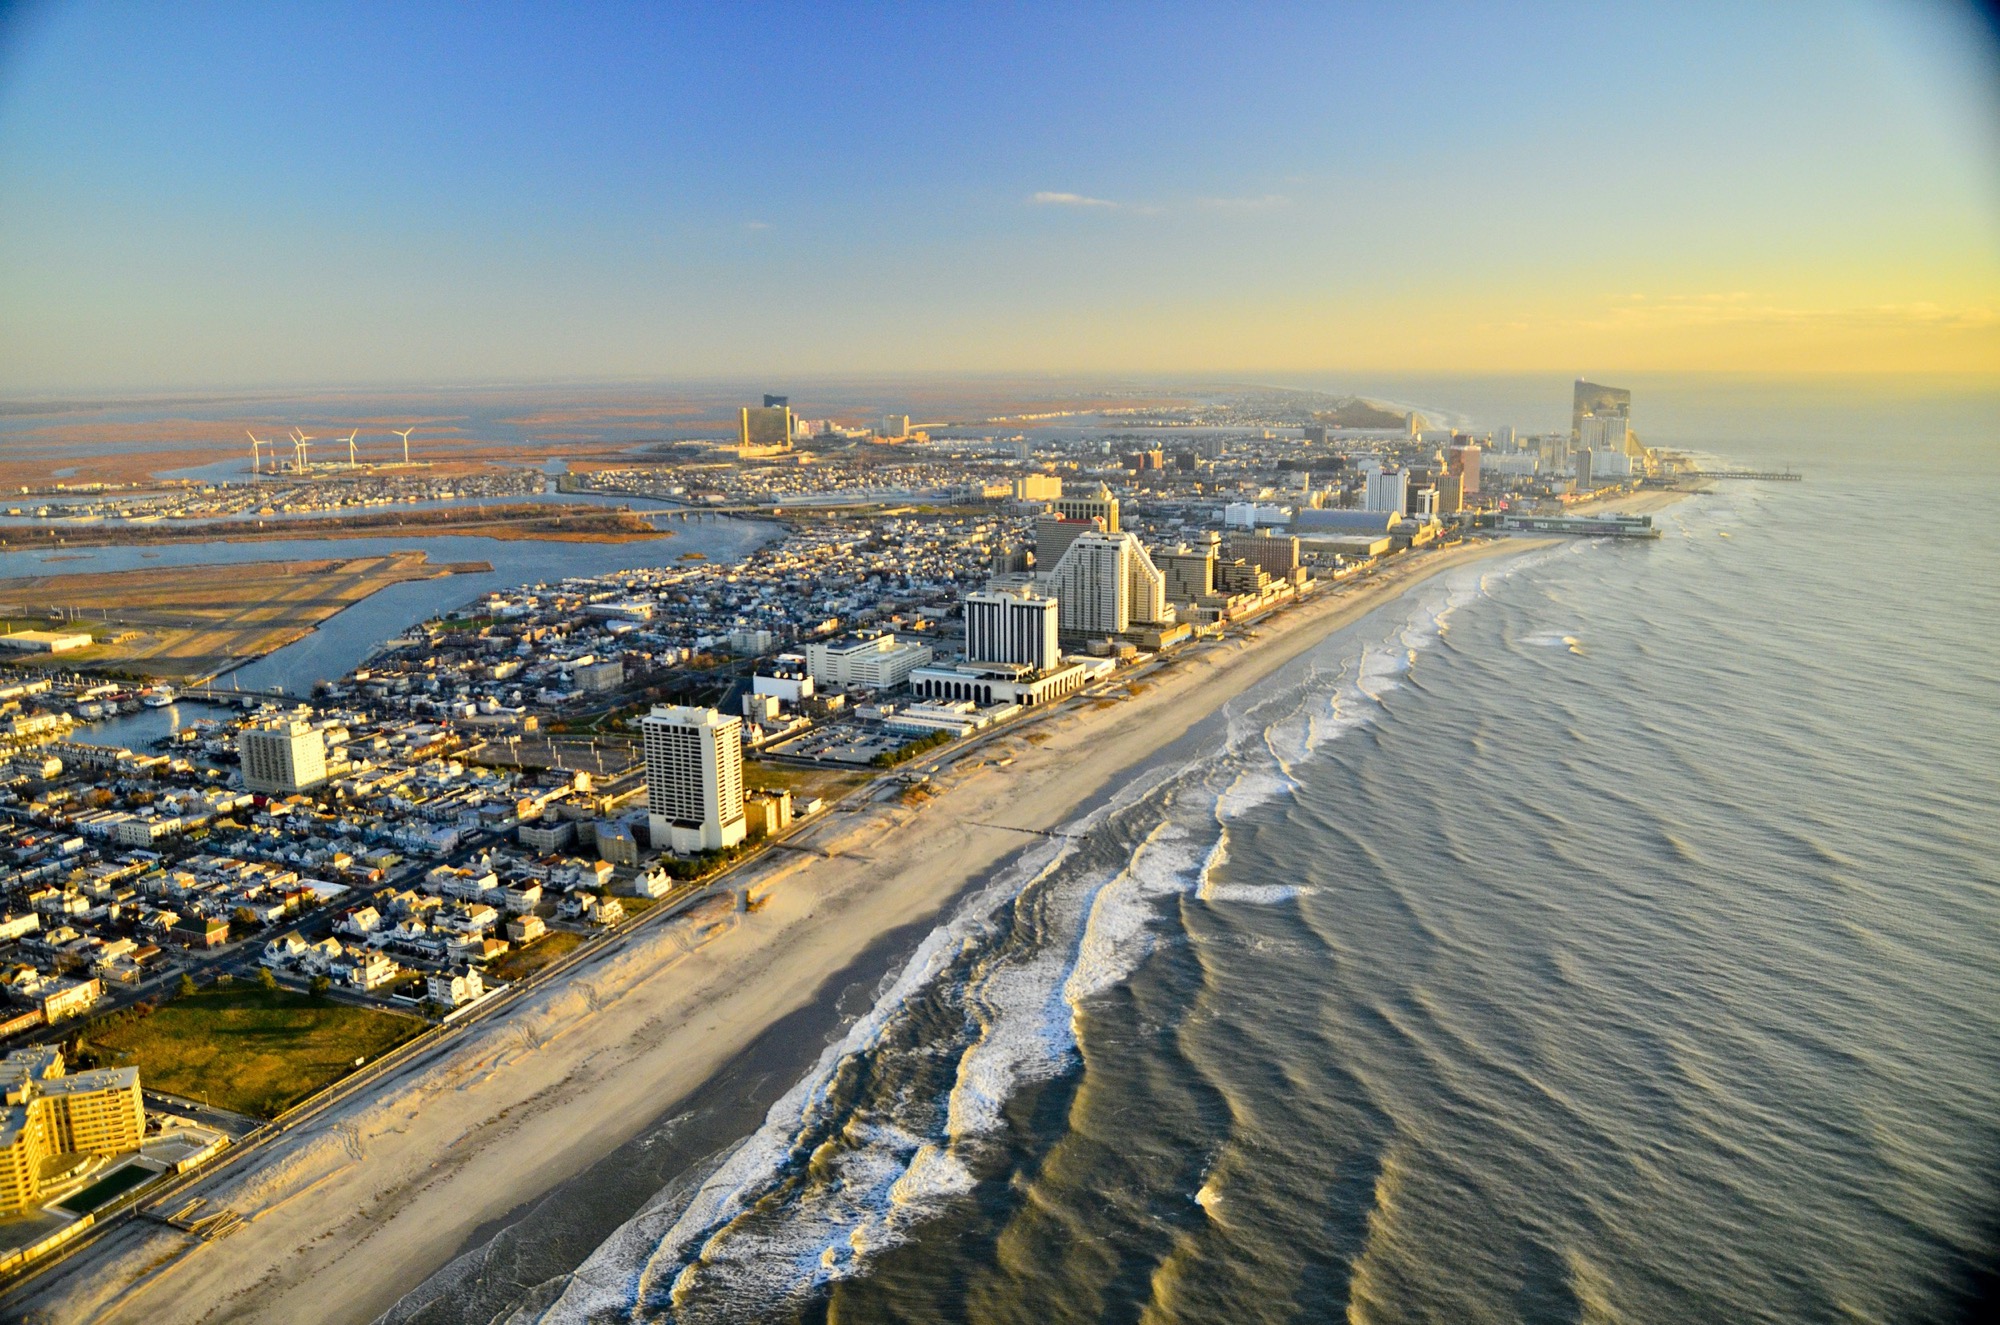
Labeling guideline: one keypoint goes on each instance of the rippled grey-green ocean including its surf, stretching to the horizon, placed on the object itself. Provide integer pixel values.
(1599, 934)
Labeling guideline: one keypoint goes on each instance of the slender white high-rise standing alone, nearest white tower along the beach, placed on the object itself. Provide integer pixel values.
(695, 780)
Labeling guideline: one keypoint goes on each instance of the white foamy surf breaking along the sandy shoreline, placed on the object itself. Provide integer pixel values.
(1093, 928)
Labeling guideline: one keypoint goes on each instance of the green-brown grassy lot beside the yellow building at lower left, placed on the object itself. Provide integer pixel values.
(249, 1050)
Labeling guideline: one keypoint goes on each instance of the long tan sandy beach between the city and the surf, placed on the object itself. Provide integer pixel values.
(367, 1202)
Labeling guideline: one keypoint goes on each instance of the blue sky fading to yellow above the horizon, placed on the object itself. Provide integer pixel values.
(245, 195)
